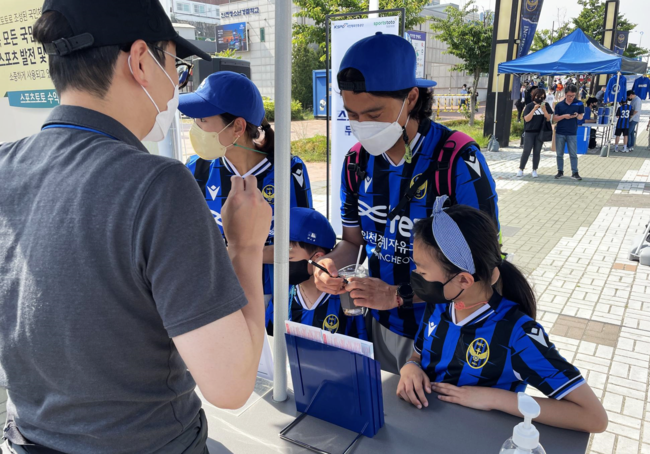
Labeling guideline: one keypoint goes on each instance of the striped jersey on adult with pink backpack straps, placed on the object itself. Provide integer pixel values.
(384, 186)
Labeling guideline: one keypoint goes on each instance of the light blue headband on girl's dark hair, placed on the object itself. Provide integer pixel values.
(450, 239)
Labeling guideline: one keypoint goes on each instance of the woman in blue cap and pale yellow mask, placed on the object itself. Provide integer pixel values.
(228, 114)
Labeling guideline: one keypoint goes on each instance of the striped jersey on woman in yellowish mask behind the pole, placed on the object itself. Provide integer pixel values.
(213, 178)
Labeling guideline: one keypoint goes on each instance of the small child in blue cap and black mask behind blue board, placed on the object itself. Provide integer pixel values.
(312, 237)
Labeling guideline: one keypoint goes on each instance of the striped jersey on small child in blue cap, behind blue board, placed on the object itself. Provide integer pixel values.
(326, 313)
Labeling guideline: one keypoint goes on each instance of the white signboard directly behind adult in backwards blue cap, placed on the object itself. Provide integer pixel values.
(344, 35)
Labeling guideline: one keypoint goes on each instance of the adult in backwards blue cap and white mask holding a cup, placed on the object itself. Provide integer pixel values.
(391, 178)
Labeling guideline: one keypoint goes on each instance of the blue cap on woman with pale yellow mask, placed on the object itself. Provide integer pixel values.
(224, 92)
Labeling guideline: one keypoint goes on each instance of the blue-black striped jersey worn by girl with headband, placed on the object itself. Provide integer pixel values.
(497, 346)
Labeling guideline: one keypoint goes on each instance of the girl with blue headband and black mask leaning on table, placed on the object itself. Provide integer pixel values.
(478, 343)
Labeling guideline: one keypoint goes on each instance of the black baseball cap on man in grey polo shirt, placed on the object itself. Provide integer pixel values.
(99, 23)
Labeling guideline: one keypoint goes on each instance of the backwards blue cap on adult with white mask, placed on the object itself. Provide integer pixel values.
(387, 63)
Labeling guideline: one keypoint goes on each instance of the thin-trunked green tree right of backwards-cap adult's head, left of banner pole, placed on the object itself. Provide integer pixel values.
(469, 40)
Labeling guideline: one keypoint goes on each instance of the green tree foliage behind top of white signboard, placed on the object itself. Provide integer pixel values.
(316, 10)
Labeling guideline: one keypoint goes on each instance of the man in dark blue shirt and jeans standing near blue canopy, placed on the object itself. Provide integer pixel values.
(567, 114)
